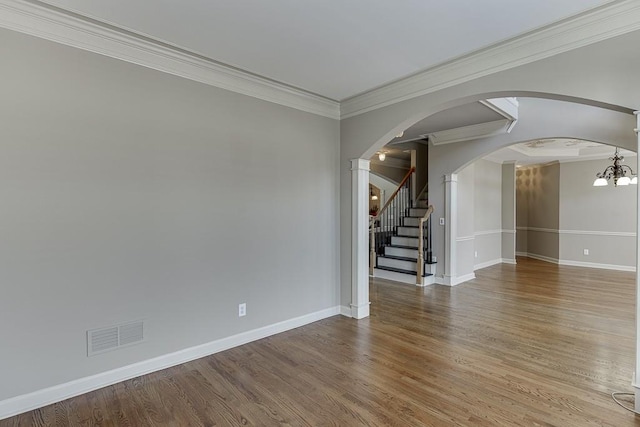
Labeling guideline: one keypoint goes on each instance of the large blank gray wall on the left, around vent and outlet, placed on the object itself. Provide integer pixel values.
(131, 194)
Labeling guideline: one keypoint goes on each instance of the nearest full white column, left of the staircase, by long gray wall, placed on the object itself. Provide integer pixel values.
(359, 238)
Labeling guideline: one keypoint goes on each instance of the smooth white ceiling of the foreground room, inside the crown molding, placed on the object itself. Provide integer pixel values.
(334, 48)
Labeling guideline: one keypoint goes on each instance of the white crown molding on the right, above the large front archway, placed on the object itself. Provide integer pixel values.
(610, 20)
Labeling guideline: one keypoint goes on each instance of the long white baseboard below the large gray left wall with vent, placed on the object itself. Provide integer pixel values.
(37, 399)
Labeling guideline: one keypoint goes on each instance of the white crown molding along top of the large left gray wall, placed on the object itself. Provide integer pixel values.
(56, 25)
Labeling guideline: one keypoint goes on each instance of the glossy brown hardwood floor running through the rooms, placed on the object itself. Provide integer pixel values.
(529, 345)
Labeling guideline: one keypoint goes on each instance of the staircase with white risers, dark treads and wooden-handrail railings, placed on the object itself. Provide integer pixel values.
(395, 241)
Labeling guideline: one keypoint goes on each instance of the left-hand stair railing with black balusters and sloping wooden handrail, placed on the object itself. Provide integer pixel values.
(384, 224)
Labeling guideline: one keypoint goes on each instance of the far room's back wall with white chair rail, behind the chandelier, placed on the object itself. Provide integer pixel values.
(560, 214)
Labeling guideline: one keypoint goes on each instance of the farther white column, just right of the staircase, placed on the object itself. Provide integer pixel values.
(450, 227)
